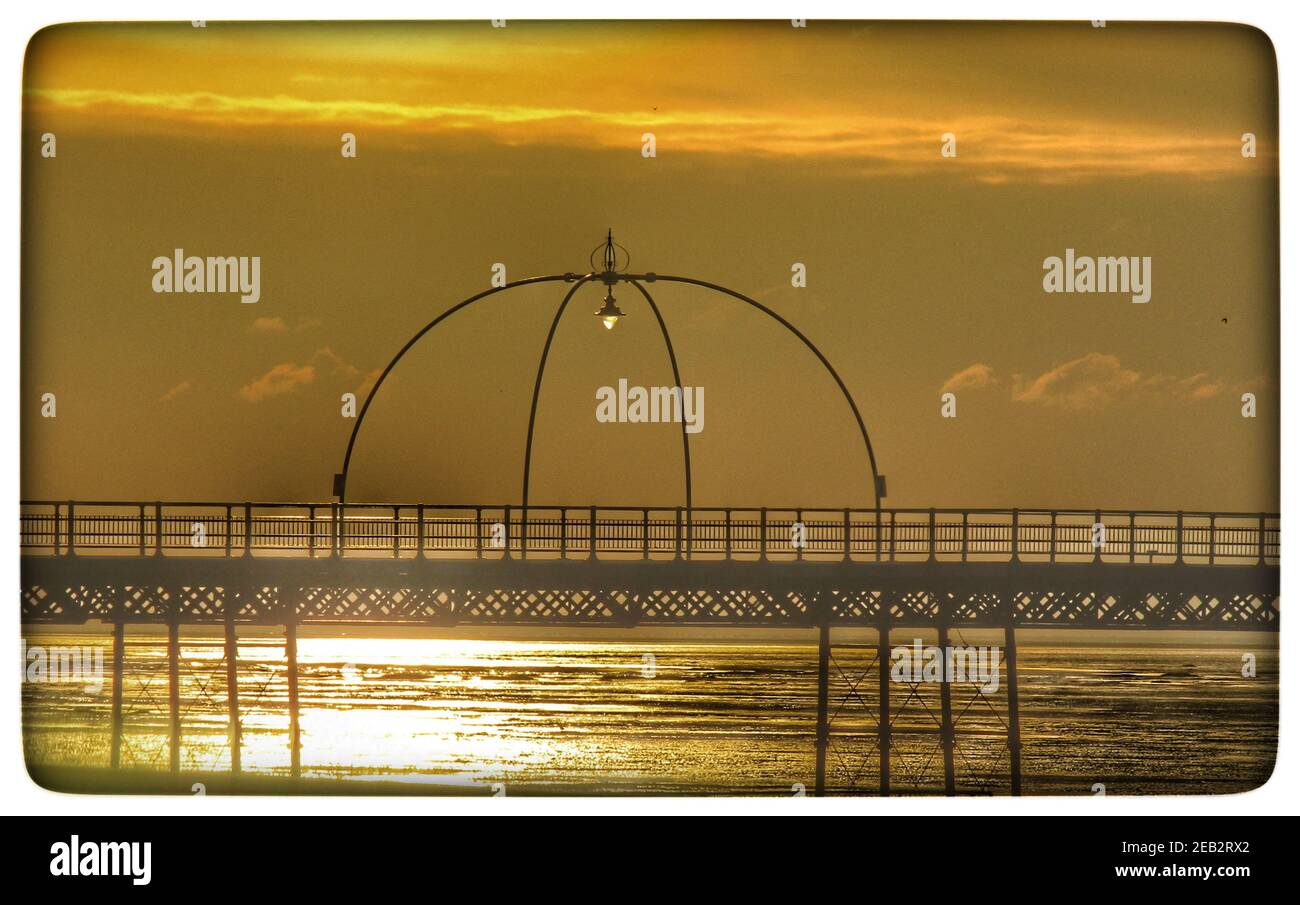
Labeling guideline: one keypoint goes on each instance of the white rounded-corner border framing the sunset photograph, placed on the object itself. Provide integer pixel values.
(1279, 20)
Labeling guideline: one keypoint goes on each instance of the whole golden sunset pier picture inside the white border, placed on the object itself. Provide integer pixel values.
(320, 460)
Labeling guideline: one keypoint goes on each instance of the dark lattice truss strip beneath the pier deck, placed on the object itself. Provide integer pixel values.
(80, 604)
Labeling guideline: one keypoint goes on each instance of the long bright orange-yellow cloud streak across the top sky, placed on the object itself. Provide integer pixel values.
(999, 149)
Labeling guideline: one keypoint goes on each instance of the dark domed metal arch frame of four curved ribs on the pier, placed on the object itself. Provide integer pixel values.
(610, 279)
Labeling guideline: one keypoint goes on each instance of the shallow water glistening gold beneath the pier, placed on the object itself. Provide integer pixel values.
(657, 717)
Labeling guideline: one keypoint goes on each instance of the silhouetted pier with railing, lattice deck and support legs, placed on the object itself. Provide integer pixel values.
(876, 570)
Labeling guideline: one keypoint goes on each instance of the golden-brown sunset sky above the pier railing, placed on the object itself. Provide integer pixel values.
(774, 146)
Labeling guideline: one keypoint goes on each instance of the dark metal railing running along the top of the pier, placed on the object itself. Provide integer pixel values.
(612, 532)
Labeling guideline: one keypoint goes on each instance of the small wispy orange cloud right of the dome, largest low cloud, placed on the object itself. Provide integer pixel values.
(1095, 382)
